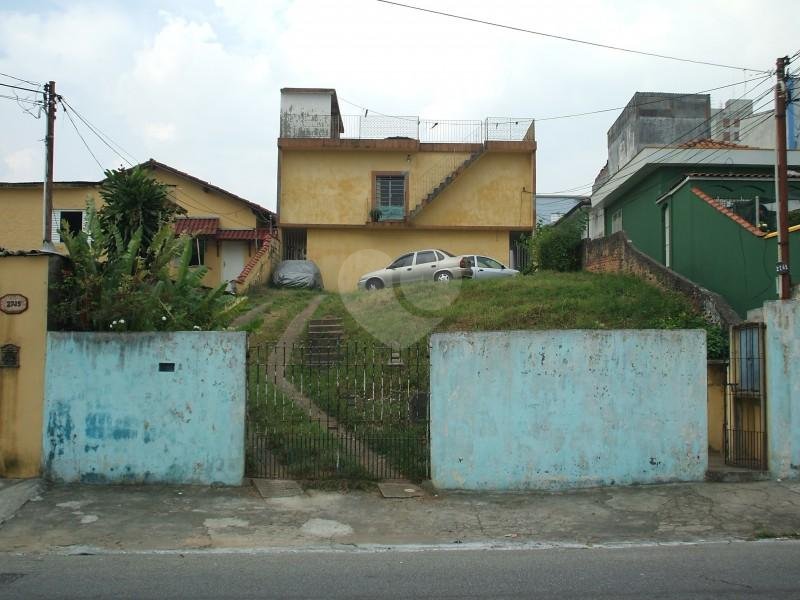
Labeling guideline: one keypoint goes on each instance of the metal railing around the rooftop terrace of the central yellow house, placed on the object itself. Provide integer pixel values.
(431, 131)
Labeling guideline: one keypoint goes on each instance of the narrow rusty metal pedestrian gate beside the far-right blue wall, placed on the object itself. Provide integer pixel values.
(744, 429)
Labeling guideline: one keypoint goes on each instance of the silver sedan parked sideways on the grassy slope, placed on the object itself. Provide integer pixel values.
(422, 265)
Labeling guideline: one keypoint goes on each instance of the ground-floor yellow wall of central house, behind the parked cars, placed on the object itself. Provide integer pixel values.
(343, 255)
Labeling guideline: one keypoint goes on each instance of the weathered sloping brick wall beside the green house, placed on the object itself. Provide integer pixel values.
(616, 254)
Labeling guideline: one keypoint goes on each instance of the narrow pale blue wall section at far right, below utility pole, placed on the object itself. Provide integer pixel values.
(782, 348)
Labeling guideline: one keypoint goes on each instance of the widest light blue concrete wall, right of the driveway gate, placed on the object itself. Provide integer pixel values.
(562, 409)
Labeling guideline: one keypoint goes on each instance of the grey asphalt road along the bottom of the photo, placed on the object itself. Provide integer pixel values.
(738, 570)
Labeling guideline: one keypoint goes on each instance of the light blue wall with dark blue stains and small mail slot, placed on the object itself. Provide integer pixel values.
(115, 413)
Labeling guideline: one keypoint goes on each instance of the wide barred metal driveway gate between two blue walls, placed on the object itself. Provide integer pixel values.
(347, 410)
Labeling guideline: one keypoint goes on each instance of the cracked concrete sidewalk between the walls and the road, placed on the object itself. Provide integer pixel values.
(97, 519)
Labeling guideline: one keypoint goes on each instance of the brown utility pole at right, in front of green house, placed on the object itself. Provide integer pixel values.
(781, 182)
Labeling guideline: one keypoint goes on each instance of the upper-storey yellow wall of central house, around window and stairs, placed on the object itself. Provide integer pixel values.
(335, 187)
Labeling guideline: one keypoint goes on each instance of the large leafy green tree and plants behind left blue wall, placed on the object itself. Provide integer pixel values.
(120, 279)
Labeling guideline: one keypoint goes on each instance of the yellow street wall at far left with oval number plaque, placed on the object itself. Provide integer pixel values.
(22, 389)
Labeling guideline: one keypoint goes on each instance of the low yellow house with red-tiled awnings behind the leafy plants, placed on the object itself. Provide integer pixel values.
(232, 235)
